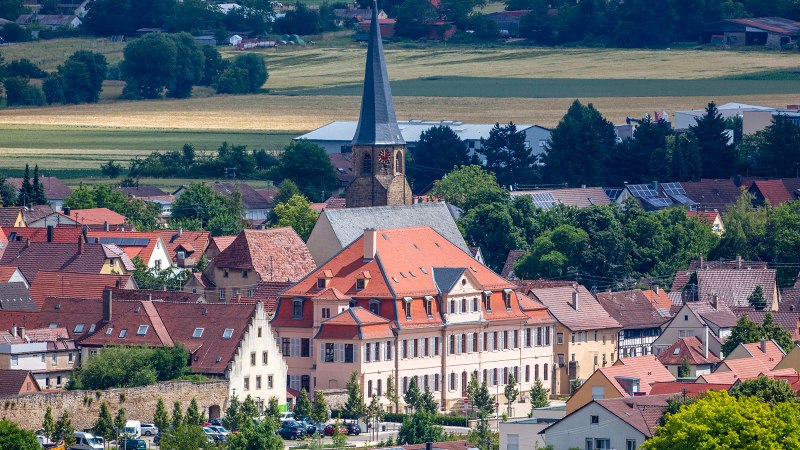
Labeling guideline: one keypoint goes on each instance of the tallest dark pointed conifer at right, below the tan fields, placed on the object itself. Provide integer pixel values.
(717, 156)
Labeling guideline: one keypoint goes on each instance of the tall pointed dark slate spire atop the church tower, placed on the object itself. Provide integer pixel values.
(377, 124)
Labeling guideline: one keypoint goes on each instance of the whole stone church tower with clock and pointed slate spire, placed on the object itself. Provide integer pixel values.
(378, 147)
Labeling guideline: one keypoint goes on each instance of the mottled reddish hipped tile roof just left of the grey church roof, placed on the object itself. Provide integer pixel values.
(276, 254)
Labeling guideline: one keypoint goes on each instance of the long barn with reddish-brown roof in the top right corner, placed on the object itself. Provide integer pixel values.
(769, 31)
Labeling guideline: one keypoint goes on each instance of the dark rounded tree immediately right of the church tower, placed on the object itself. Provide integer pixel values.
(438, 151)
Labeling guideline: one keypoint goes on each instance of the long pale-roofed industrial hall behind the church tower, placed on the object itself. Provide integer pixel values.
(336, 137)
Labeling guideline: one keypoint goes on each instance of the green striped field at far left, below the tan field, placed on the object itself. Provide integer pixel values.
(79, 151)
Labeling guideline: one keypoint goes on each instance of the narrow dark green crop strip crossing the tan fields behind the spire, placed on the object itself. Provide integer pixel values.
(568, 87)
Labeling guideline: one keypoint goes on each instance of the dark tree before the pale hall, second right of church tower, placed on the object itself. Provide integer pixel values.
(508, 156)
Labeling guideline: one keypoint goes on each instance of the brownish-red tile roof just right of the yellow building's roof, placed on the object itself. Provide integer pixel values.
(632, 309)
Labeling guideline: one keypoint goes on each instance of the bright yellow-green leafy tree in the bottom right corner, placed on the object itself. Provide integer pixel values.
(720, 420)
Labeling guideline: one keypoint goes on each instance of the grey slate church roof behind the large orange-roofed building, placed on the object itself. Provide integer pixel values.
(349, 223)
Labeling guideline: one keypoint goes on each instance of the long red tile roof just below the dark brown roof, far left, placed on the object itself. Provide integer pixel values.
(70, 284)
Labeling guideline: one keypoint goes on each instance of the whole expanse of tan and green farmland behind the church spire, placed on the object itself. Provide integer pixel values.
(309, 87)
